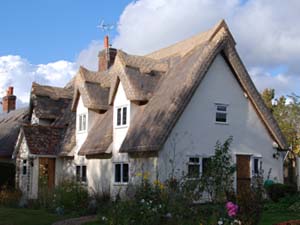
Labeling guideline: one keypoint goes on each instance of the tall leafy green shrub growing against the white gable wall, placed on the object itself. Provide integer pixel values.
(218, 180)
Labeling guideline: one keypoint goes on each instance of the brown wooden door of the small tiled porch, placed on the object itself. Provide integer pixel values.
(47, 171)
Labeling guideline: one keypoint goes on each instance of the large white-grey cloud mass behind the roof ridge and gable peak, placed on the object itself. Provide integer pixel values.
(267, 32)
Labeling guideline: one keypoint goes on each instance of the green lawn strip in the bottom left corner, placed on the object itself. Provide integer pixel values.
(13, 216)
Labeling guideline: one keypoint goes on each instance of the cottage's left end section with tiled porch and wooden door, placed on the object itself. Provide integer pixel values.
(47, 141)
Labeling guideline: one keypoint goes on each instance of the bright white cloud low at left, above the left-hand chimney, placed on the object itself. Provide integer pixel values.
(18, 72)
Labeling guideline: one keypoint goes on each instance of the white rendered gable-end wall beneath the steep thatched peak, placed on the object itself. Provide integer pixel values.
(196, 132)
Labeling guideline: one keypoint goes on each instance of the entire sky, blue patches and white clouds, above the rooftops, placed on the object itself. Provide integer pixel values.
(46, 40)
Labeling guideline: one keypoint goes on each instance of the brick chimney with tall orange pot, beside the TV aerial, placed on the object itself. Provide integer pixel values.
(107, 56)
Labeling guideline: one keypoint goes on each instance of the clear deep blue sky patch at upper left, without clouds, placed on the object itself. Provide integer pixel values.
(50, 30)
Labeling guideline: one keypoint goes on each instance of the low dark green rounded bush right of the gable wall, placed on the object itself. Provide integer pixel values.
(277, 191)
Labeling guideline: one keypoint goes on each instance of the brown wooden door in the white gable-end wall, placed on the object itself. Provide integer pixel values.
(243, 172)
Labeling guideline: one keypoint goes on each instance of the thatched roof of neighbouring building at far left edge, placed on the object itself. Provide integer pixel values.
(10, 124)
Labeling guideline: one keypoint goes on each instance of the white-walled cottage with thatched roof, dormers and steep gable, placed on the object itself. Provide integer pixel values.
(161, 113)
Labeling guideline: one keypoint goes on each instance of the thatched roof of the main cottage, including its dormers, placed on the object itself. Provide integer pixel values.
(165, 82)
